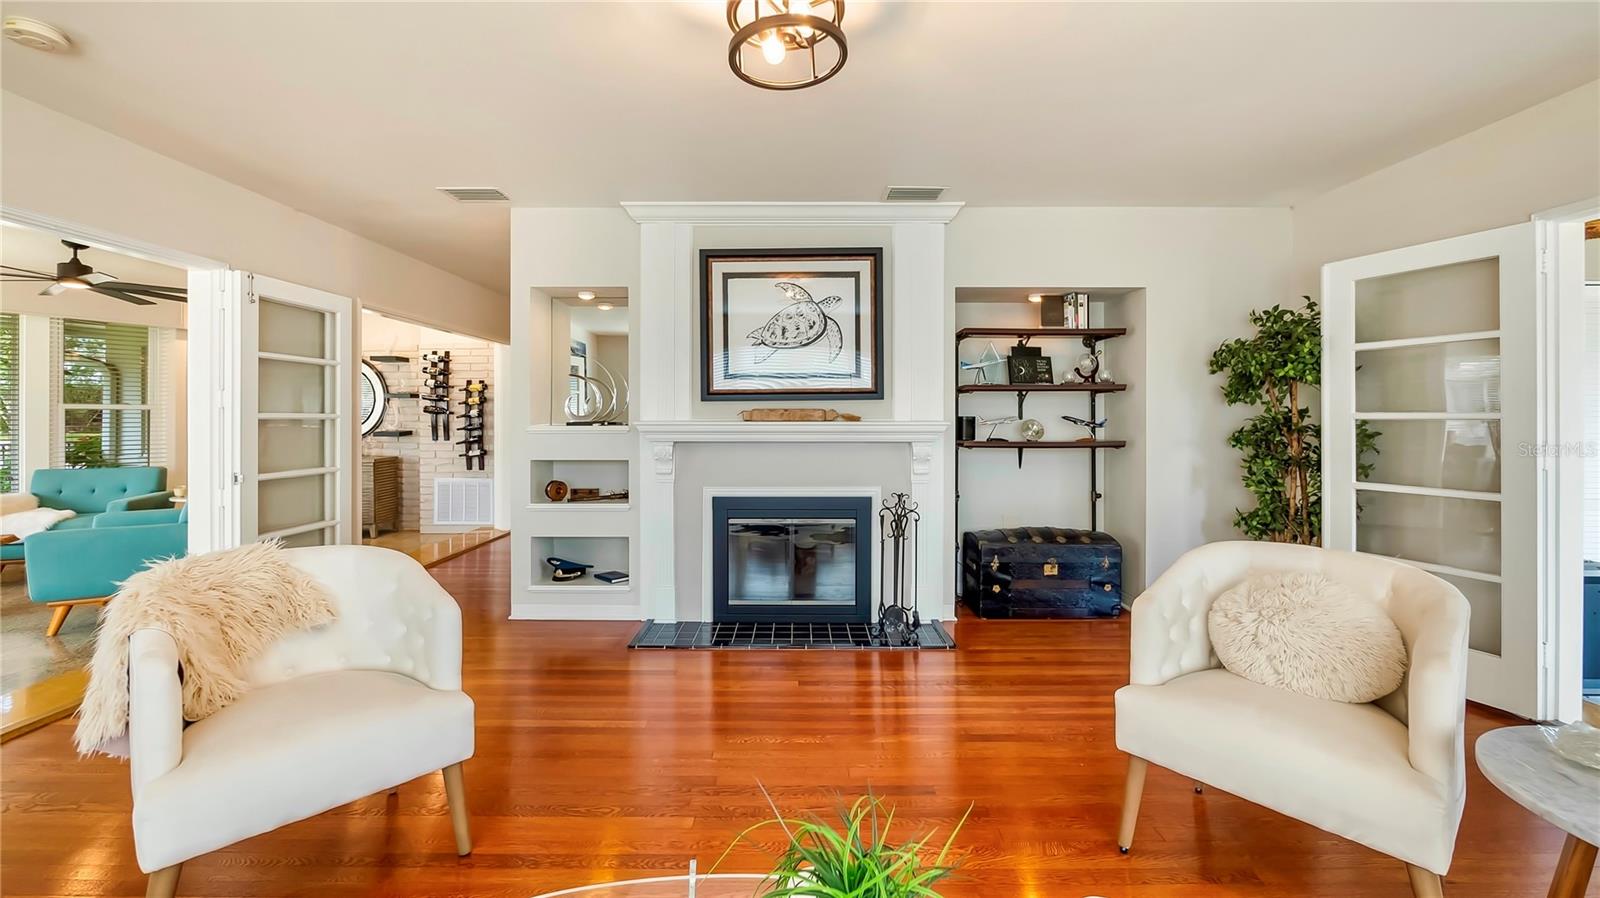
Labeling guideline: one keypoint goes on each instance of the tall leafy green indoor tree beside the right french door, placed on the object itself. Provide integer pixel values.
(1281, 446)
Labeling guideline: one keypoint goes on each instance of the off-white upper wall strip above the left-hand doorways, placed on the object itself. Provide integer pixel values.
(73, 172)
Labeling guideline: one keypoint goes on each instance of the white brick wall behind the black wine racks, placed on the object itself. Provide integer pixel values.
(425, 460)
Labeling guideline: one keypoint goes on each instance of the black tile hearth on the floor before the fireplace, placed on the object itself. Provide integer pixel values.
(783, 636)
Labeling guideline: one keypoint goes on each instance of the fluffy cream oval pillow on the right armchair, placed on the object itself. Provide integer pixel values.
(1308, 635)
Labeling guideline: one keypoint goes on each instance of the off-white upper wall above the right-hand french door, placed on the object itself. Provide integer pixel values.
(1503, 174)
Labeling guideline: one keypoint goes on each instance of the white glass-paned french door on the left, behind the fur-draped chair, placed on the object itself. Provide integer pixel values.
(294, 449)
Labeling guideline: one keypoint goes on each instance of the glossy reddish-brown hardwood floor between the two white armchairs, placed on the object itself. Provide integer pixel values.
(596, 763)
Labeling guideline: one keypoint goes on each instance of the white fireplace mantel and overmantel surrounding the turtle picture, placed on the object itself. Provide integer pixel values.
(919, 375)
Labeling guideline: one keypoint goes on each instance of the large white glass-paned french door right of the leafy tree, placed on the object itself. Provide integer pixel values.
(1433, 350)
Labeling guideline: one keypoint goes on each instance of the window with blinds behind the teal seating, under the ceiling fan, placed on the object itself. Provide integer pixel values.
(108, 396)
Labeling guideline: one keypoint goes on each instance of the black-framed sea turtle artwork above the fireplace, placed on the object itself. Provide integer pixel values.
(791, 324)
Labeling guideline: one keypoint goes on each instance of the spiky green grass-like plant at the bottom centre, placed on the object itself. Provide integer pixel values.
(855, 860)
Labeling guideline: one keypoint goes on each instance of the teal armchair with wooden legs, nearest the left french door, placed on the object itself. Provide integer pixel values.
(86, 566)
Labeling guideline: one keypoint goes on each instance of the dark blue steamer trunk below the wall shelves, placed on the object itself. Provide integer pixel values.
(1042, 572)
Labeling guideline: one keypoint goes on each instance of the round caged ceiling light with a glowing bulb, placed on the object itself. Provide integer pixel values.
(786, 44)
